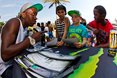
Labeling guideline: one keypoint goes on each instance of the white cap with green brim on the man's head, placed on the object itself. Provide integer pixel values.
(37, 6)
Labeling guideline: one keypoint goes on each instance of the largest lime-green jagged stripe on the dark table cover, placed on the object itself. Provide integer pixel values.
(87, 69)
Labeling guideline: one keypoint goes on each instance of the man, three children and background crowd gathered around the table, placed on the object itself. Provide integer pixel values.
(14, 37)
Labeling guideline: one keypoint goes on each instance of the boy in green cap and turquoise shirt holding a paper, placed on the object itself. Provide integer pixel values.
(77, 30)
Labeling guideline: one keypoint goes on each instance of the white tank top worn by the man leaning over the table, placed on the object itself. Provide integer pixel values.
(20, 38)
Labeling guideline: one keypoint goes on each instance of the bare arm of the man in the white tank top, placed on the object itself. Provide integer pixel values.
(8, 48)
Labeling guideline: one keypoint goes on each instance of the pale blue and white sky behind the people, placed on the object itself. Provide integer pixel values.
(10, 9)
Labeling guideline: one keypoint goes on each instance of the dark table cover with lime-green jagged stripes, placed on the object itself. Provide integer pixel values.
(93, 63)
